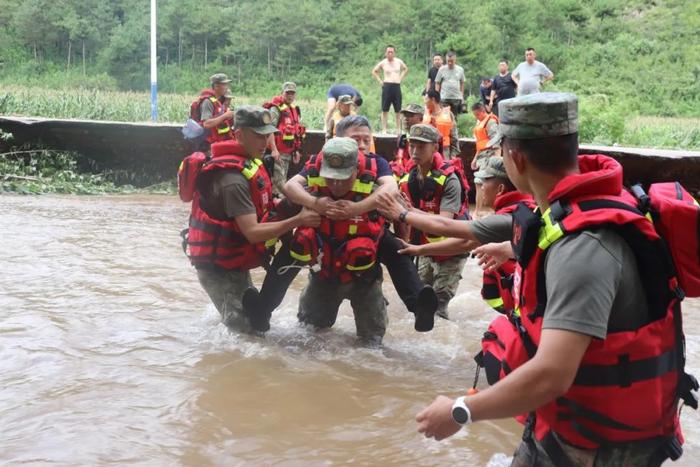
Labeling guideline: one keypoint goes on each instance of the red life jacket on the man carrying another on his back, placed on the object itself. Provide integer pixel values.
(341, 250)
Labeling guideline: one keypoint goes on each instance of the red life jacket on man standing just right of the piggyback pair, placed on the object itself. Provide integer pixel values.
(428, 197)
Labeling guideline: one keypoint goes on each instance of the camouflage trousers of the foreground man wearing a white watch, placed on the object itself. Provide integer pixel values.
(636, 454)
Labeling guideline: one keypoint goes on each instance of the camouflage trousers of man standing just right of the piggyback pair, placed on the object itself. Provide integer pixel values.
(443, 276)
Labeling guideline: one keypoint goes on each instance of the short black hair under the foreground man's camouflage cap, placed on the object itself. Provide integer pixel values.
(552, 154)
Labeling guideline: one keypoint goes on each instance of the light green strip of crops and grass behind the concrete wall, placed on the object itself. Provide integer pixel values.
(601, 122)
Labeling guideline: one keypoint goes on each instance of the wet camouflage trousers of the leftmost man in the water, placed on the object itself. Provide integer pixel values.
(225, 288)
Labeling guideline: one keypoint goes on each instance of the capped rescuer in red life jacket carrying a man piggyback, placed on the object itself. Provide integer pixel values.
(344, 251)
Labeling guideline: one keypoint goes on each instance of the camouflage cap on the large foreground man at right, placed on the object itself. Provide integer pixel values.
(539, 115)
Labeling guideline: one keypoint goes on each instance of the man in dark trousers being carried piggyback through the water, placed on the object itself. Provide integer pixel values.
(418, 298)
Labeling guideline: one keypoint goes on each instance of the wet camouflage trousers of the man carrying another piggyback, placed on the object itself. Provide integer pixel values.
(321, 299)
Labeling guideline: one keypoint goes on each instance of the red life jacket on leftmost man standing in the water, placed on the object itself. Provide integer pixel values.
(219, 242)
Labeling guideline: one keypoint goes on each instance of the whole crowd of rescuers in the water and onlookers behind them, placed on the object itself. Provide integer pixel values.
(586, 349)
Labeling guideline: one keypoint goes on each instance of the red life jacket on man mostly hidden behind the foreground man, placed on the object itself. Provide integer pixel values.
(497, 285)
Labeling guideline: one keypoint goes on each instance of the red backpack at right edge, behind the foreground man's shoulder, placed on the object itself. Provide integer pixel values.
(676, 216)
